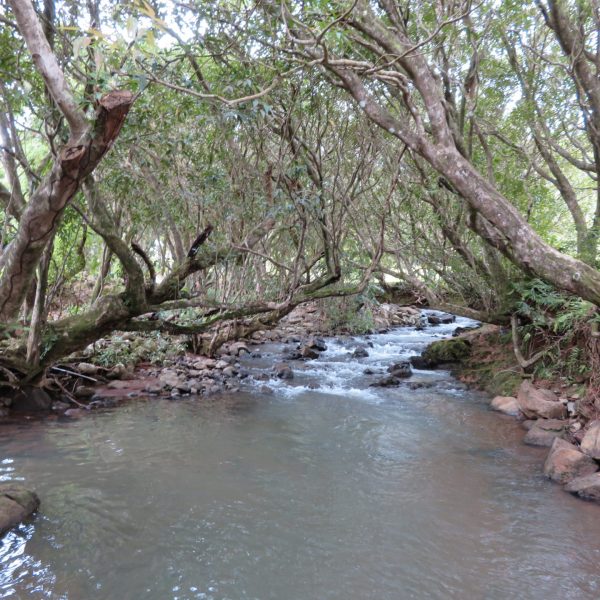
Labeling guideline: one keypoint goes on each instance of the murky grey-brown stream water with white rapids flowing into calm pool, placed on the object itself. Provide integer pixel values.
(341, 492)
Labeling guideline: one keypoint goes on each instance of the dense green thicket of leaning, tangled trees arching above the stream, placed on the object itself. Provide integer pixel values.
(263, 154)
